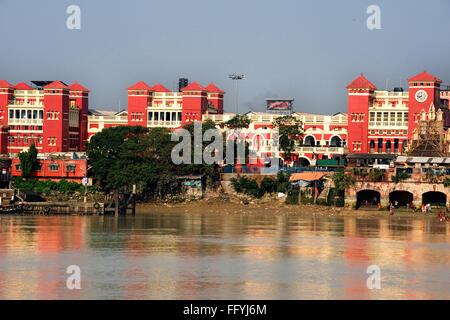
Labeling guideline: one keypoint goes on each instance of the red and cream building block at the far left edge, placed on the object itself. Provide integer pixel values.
(51, 115)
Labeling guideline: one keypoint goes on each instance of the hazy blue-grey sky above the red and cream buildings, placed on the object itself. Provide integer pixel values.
(308, 50)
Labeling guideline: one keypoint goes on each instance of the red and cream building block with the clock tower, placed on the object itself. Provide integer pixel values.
(383, 121)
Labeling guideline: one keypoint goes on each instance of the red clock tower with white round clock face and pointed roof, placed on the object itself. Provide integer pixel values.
(424, 90)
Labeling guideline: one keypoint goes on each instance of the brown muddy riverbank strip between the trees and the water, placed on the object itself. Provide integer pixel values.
(276, 207)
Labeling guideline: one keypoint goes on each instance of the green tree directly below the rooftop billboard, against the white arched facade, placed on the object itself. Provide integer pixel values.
(290, 131)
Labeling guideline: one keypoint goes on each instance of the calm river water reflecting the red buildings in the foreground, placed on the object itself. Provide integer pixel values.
(195, 256)
